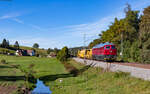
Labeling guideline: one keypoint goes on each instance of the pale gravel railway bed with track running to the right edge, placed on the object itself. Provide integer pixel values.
(135, 70)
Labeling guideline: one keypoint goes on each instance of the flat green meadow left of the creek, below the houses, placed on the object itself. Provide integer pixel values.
(10, 75)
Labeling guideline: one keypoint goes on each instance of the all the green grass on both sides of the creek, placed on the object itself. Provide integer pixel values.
(53, 73)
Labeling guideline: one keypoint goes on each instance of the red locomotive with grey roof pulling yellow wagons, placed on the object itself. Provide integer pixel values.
(103, 51)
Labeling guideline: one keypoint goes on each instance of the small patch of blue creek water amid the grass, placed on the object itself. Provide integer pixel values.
(41, 88)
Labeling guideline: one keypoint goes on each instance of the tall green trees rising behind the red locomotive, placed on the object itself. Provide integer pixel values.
(131, 35)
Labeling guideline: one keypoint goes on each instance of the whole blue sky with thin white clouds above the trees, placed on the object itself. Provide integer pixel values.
(59, 23)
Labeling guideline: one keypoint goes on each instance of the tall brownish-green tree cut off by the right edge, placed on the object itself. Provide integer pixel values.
(145, 36)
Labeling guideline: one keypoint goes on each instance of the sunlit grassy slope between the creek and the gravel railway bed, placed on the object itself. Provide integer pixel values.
(96, 81)
